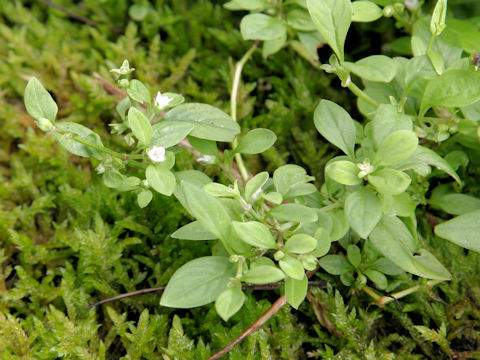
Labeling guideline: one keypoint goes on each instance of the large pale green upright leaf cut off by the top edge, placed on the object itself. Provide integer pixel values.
(332, 19)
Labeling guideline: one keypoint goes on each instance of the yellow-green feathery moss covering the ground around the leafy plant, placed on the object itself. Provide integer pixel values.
(67, 240)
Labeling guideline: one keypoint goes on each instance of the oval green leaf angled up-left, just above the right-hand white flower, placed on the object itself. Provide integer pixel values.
(336, 125)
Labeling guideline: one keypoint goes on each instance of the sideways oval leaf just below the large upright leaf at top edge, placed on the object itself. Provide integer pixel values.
(379, 68)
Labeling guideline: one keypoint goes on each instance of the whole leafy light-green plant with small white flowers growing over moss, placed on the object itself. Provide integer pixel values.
(268, 228)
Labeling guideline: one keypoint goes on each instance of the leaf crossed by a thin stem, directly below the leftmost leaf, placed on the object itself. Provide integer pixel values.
(74, 146)
